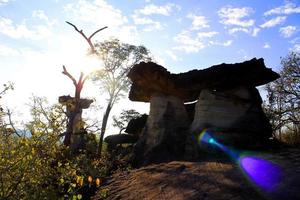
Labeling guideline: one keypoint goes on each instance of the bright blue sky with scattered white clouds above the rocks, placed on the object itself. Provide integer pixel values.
(35, 41)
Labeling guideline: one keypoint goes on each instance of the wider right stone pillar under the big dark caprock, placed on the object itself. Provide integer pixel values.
(234, 116)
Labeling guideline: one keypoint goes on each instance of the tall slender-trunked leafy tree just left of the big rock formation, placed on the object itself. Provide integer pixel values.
(118, 58)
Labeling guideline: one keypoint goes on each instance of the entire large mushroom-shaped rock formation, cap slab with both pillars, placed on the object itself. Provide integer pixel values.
(228, 104)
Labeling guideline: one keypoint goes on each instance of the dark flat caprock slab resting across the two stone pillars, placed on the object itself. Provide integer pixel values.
(150, 78)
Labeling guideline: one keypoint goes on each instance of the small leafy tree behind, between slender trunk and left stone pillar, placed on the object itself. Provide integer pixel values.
(125, 116)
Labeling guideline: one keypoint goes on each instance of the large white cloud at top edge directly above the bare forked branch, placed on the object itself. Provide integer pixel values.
(97, 12)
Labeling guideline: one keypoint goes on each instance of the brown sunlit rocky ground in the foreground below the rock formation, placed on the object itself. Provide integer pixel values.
(206, 180)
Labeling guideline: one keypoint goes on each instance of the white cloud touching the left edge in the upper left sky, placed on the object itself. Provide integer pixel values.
(17, 31)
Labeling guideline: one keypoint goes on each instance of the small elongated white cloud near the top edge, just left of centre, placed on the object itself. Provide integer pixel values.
(159, 10)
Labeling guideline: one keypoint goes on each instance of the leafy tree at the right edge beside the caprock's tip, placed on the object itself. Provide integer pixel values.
(283, 103)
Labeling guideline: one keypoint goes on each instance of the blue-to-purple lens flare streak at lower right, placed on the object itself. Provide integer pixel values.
(263, 173)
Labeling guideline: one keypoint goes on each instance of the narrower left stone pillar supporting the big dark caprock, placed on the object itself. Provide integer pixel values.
(164, 135)
